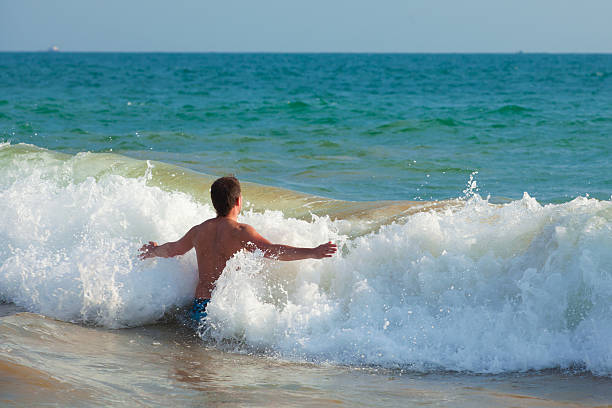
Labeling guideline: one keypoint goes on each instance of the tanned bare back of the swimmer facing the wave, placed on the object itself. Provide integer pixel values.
(215, 241)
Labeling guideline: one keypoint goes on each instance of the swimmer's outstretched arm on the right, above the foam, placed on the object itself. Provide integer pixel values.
(252, 240)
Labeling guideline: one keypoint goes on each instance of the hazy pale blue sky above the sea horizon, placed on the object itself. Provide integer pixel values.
(312, 25)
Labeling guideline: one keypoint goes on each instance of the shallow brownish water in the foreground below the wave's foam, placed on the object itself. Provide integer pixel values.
(46, 361)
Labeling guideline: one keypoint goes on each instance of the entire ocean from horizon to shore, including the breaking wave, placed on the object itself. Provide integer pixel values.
(470, 196)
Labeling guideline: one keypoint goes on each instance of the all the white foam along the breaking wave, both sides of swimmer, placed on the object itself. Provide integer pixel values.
(479, 287)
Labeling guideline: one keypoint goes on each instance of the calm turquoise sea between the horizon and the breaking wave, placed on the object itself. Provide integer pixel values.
(345, 126)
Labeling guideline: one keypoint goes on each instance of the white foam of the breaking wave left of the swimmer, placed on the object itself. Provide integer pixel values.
(71, 248)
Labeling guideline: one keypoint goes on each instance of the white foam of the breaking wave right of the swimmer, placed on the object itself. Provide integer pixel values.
(484, 288)
